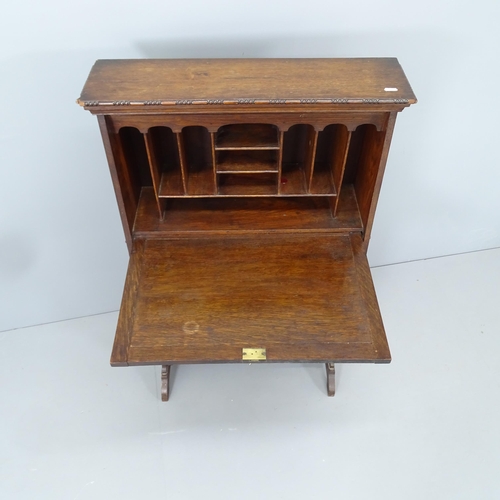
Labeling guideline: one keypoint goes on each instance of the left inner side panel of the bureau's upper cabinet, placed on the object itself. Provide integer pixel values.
(120, 175)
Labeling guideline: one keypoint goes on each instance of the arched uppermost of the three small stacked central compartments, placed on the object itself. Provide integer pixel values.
(247, 136)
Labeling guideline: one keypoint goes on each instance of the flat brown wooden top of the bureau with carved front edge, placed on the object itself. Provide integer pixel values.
(163, 82)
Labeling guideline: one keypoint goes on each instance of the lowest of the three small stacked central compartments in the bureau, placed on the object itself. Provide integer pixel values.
(248, 184)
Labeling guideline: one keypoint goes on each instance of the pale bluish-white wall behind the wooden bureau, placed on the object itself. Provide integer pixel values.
(62, 252)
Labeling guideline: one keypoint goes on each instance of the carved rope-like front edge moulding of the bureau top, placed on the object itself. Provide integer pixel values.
(208, 102)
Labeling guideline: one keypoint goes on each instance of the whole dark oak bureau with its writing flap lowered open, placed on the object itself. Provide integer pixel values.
(247, 190)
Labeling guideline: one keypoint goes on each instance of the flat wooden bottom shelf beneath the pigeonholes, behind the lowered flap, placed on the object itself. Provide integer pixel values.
(188, 217)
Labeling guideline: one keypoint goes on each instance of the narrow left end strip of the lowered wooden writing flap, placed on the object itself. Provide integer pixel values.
(119, 355)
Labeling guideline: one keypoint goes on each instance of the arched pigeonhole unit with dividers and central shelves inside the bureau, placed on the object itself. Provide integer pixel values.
(246, 159)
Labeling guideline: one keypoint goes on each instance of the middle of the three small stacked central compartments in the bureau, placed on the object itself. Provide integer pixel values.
(247, 161)
